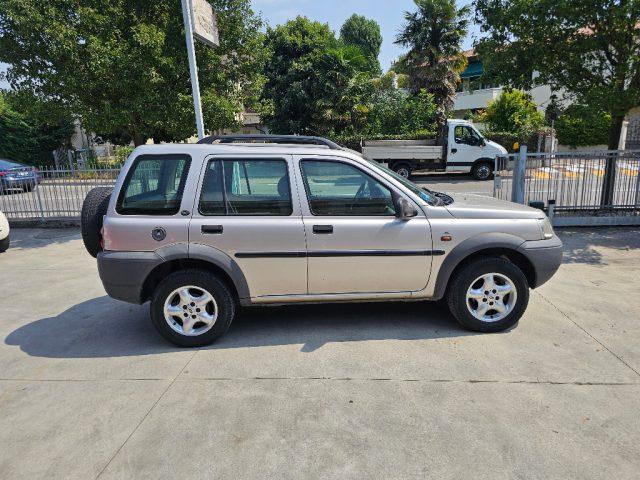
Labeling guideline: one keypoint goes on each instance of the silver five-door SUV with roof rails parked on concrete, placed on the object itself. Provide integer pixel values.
(199, 230)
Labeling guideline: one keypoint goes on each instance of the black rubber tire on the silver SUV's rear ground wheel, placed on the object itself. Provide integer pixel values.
(224, 306)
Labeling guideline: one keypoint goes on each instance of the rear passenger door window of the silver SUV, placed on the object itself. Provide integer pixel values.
(246, 187)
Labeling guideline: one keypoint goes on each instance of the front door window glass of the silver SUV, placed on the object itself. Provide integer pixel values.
(336, 188)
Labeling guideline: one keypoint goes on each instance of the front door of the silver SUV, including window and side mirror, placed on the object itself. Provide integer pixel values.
(355, 243)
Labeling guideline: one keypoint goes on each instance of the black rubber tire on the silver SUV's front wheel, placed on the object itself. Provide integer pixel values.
(469, 276)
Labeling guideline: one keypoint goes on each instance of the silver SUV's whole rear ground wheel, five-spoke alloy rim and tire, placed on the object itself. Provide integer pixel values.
(192, 308)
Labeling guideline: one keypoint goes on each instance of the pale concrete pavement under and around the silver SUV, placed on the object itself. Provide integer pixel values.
(89, 390)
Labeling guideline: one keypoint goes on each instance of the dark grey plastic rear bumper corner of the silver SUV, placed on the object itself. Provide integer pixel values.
(123, 273)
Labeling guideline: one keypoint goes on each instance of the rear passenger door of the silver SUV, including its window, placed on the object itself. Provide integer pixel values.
(247, 208)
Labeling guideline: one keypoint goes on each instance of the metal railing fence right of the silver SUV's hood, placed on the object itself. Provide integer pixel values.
(574, 182)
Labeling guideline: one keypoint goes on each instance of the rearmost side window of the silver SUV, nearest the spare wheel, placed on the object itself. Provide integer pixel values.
(154, 185)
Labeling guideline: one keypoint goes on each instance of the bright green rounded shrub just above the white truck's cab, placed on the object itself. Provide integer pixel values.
(514, 112)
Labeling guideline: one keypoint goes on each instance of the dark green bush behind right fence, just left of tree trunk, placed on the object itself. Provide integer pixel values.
(580, 126)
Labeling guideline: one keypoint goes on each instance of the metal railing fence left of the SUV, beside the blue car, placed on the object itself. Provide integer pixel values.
(58, 194)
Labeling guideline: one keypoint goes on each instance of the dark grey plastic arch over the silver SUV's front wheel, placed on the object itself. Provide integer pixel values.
(500, 245)
